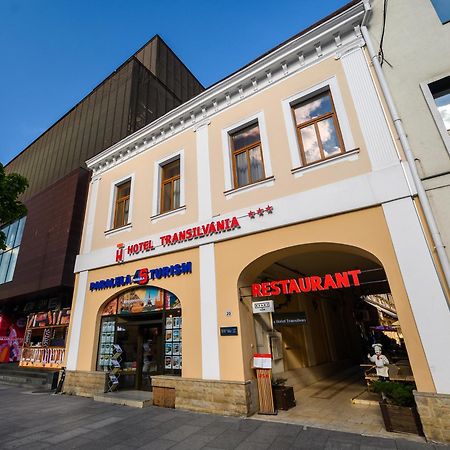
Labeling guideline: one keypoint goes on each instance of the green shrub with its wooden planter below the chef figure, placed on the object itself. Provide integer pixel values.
(398, 407)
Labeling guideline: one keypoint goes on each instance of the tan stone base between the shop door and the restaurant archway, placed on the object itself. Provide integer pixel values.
(231, 398)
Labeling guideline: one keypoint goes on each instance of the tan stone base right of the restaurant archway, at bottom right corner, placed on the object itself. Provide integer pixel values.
(434, 411)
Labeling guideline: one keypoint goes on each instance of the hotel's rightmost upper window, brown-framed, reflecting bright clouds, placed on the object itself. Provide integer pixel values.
(318, 130)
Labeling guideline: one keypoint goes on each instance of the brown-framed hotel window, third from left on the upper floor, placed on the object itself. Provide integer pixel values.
(248, 164)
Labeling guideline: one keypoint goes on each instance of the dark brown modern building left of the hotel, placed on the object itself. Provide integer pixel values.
(36, 269)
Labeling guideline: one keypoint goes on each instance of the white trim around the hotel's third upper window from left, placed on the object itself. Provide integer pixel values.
(228, 163)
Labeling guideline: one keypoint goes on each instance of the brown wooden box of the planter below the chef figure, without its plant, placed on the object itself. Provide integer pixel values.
(401, 419)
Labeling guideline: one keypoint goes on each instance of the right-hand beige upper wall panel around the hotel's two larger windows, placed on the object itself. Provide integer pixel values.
(270, 102)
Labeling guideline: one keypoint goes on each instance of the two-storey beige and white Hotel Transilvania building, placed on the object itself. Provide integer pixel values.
(283, 180)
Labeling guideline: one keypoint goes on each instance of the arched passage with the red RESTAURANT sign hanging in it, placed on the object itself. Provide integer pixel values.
(323, 328)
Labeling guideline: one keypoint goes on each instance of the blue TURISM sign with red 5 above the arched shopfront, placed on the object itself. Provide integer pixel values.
(142, 276)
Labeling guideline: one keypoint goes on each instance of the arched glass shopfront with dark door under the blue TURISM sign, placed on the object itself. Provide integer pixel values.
(146, 325)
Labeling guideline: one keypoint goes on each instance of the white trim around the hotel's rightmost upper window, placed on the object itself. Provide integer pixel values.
(291, 129)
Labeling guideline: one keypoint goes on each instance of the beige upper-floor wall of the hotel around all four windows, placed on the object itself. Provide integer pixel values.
(269, 101)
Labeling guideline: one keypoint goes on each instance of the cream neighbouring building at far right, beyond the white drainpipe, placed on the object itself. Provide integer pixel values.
(415, 56)
